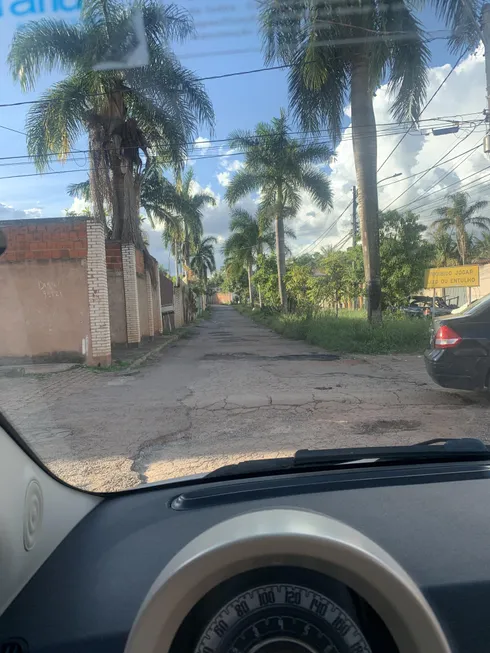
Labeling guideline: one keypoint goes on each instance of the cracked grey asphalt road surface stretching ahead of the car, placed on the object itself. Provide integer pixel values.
(233, 391)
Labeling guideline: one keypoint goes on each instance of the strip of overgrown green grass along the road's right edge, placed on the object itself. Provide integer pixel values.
(350, 332)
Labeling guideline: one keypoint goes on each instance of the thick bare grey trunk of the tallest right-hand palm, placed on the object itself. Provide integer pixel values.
(365, 159)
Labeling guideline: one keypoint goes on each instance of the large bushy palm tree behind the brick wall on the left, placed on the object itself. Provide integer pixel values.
(154, 109)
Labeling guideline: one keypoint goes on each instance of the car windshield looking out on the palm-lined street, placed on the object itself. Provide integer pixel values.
(212, 216)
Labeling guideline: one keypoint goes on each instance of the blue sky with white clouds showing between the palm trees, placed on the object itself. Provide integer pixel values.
(228, 41)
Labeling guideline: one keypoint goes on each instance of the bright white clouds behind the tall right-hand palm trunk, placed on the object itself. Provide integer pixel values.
(462, 93)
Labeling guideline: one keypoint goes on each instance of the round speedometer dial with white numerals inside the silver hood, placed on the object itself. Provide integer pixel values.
(282, 618)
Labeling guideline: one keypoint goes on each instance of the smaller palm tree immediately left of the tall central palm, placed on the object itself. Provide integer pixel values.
(247, 240)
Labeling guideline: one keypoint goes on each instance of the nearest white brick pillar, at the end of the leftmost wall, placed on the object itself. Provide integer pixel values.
(98, 299)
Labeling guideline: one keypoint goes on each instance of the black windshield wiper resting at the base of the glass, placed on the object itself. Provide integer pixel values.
(431, 451)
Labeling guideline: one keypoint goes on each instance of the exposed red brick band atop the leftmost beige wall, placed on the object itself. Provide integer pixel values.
(45, 239)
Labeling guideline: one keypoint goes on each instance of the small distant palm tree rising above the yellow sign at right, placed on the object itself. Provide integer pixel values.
(460, 215)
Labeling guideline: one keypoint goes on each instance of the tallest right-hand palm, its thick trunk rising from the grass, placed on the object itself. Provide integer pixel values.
(343, 51)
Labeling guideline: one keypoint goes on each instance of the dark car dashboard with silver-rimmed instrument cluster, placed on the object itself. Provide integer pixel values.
(386, 559)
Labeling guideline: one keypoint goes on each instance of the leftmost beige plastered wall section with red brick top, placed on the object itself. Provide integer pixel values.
(44, 298)
